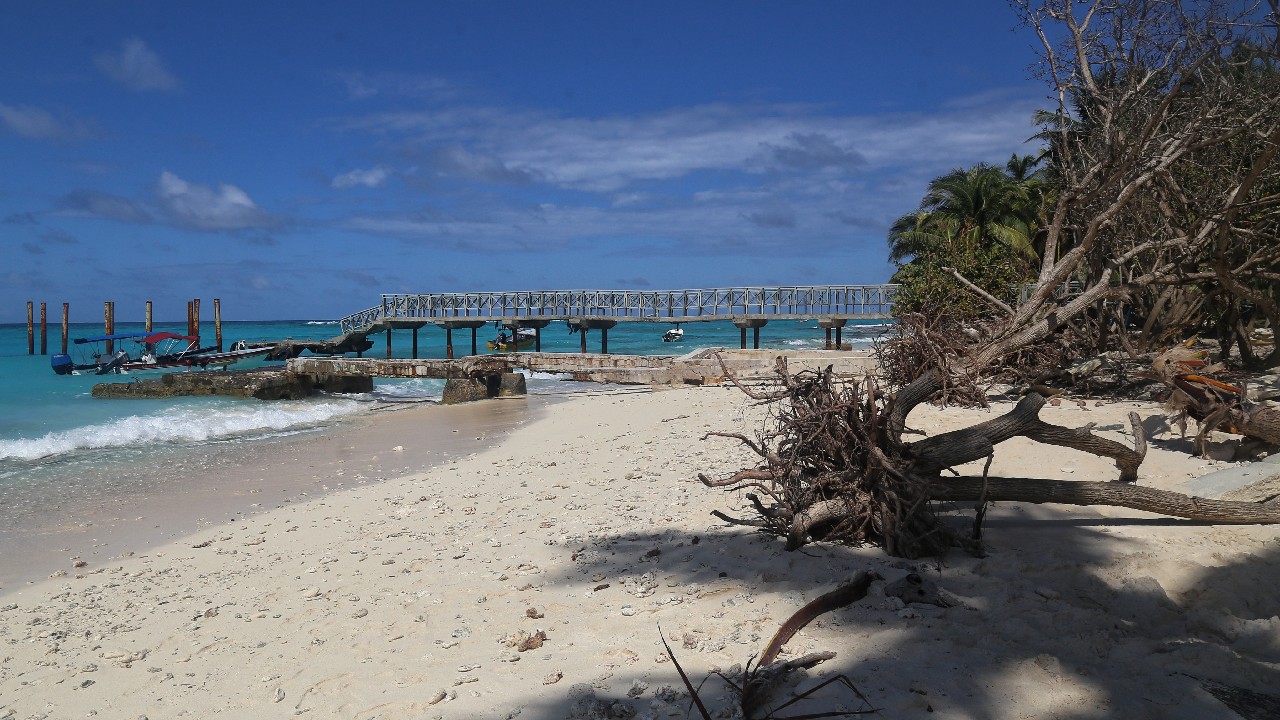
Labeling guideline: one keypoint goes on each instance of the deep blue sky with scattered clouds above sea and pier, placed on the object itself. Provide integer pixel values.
(298, 160)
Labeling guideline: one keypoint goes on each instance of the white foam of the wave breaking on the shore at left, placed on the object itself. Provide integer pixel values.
(181, 426)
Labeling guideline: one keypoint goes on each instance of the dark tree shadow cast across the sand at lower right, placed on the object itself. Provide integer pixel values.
(1086, 630)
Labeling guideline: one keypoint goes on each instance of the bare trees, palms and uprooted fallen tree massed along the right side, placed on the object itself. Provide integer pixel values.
(1151, 217)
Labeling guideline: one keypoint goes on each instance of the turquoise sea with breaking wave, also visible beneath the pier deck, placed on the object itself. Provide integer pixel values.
(56, 439)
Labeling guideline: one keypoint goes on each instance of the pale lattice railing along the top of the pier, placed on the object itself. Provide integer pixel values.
(664, 306)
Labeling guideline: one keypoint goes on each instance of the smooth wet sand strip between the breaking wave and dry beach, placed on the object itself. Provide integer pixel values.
(135, 508)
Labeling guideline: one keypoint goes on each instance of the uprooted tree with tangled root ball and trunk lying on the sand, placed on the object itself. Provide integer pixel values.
(835, 468)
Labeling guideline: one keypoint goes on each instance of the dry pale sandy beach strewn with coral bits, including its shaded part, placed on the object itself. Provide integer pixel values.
(424, 595)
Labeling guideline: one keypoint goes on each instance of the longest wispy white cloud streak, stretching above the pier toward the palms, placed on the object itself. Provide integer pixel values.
(620, 154)
